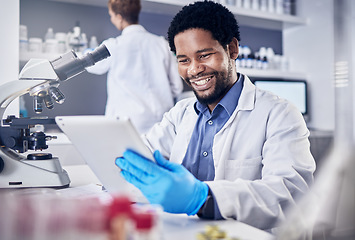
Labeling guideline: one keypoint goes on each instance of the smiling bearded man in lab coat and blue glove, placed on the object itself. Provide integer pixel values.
(237, 152)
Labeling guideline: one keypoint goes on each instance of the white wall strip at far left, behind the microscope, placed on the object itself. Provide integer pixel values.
(9, 45)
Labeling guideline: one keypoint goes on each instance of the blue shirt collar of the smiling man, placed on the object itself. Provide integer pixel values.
(229, 102)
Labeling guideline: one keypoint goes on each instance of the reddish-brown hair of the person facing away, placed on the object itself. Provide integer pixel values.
(128, 9)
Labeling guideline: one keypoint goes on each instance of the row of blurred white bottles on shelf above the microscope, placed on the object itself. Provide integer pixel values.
(56, 43)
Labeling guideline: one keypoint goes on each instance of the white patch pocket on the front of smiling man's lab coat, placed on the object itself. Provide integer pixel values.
(249, 168)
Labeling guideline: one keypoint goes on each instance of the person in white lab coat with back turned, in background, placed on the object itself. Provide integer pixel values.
(142, 76)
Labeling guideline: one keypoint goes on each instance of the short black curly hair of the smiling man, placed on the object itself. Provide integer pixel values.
(209, 16)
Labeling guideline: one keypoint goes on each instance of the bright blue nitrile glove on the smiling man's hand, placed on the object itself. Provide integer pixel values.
(169, 184)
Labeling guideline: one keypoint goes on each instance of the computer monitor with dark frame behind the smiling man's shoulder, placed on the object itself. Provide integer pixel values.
(293, 90)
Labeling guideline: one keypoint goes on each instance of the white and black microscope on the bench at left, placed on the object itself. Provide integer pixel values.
(40, 79)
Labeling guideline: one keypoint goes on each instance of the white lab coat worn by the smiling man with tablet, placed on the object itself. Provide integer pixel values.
(261, 155)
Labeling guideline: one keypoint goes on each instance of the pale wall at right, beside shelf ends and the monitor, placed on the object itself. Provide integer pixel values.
(312, 51)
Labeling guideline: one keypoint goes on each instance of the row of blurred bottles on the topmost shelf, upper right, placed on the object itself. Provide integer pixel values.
(272, 6)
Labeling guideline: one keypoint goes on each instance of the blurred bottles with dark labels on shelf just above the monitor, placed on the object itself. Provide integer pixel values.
(264, 59)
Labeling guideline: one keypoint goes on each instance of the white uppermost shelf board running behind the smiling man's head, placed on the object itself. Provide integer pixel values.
(245, 17)
